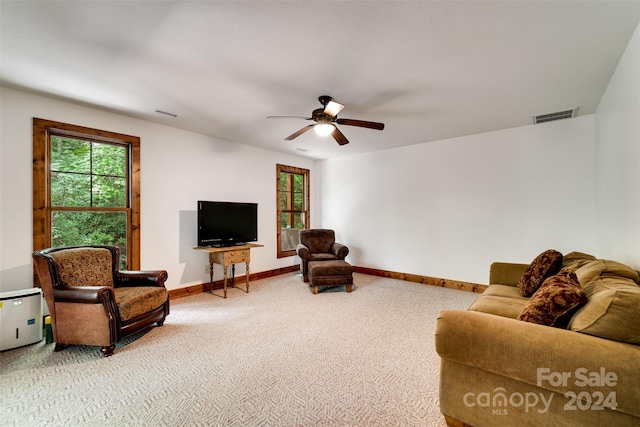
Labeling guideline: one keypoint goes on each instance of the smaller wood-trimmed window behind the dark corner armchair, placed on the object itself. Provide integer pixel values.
(293, 207)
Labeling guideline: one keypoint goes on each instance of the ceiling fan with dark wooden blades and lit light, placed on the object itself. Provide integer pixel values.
(326, 118)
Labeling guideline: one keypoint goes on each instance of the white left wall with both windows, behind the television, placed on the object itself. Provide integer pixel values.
(177, 169)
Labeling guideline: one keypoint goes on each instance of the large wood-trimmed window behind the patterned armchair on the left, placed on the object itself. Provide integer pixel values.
(86, 189)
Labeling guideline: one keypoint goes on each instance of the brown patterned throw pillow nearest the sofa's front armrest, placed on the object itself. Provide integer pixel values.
(556, 301)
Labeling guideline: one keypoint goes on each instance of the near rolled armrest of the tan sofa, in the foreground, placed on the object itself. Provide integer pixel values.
(531, 353)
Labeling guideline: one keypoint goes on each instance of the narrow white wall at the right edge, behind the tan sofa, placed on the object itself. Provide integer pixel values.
(618, 153)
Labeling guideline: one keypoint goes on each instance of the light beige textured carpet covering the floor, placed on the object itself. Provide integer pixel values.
(278, 356)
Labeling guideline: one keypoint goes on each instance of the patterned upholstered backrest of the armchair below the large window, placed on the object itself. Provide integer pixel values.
(84, 267)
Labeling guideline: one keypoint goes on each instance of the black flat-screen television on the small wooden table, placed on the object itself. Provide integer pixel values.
(227, 223)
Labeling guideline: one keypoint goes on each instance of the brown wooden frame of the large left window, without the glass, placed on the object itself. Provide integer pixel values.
(42, 209)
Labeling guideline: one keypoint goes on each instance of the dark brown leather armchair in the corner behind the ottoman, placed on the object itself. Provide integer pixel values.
(318, 245)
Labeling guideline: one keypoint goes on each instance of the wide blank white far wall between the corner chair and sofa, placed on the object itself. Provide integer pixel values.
(449, 208)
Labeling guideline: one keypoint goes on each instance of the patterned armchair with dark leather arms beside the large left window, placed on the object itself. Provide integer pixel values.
(92, 303)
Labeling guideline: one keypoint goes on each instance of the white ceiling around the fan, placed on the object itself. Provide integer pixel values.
(429, 70)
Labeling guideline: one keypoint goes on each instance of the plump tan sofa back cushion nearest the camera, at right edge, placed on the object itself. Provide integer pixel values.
(613, 310)
